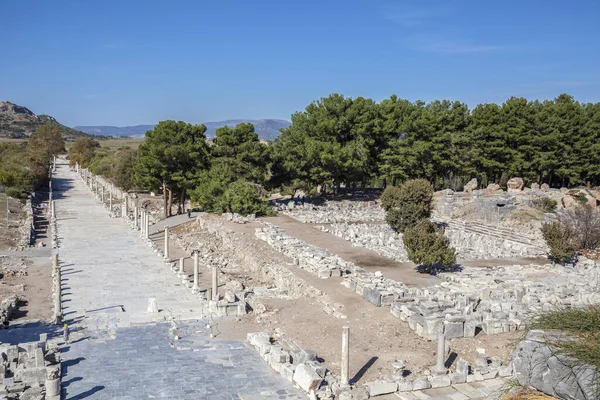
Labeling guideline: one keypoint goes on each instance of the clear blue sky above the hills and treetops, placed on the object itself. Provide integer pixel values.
(140, 61)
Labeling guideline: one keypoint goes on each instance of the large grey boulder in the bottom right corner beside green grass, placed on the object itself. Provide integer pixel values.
(538, 364)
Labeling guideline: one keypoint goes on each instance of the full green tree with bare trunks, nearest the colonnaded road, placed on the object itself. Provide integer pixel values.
(172, 157)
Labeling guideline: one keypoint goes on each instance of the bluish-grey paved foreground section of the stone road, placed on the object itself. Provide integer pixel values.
(142, 364)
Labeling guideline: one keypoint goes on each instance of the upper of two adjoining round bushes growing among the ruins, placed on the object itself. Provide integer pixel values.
(408, 204)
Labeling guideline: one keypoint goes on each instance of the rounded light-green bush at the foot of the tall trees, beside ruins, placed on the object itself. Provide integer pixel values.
(241, 197)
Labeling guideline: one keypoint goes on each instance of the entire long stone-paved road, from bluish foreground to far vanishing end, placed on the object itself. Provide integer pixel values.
(120, 351)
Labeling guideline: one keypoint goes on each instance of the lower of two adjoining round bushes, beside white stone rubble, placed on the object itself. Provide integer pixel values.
(427, 246)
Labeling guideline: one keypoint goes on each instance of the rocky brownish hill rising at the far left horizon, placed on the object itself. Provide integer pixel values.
(19, 122)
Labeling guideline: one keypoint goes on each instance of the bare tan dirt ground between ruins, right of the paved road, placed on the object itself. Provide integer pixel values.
(377, 337)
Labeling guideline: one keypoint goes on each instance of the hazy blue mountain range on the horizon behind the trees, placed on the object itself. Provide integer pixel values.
(267, 129)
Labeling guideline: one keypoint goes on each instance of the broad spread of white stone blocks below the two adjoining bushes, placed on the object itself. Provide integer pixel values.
(494, 300)
